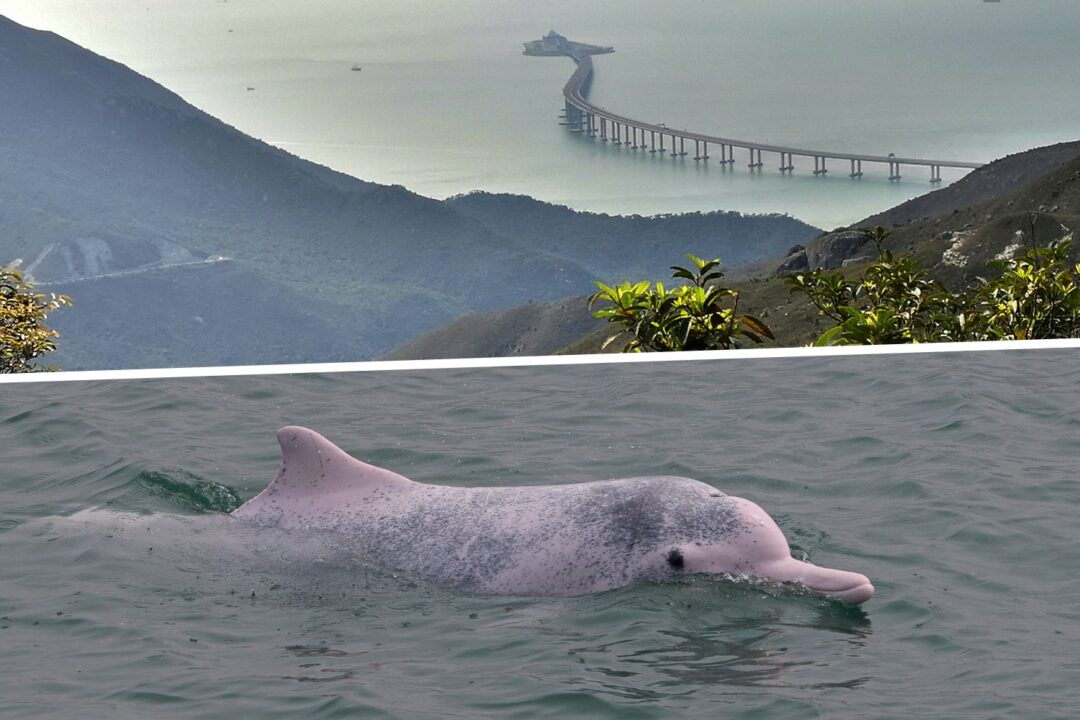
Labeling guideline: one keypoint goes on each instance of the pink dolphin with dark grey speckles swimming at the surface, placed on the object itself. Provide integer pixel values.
(534, 540)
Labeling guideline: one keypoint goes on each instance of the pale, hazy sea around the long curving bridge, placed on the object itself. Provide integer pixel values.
(445, 103)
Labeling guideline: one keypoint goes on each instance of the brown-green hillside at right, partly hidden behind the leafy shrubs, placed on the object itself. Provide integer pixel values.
(954, 233)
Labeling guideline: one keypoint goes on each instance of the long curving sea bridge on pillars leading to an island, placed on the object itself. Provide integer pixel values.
(583, 117)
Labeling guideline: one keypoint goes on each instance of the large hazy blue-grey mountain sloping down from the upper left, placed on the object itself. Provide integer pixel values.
(112, 187)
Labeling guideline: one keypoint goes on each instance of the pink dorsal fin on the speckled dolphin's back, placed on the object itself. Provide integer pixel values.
(317, 473)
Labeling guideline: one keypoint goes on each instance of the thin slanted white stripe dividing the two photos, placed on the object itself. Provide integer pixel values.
(610, 359)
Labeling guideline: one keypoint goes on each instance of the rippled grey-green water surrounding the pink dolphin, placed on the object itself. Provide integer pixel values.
(949, 479)
